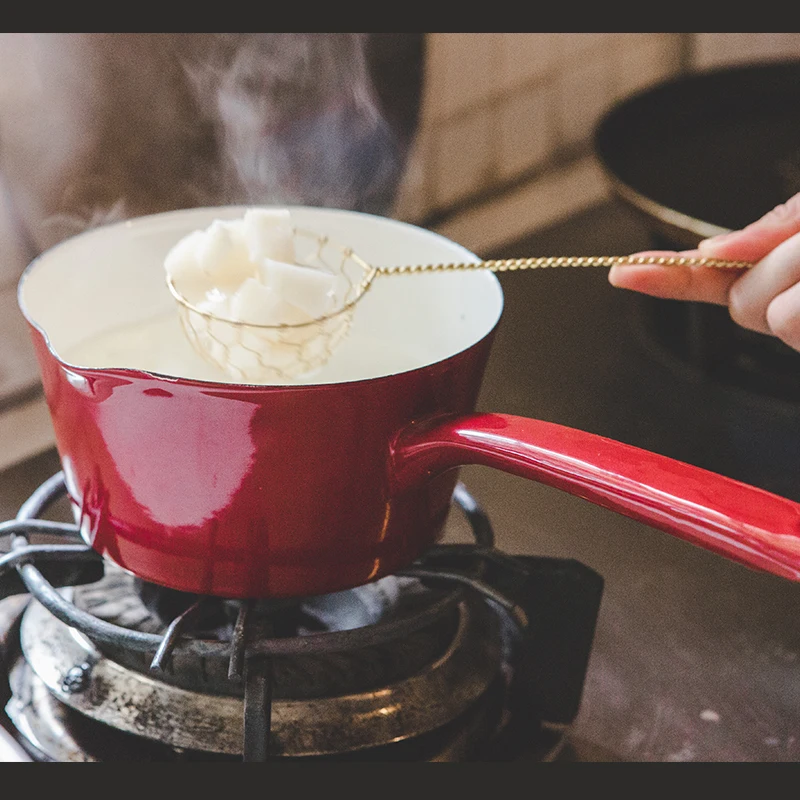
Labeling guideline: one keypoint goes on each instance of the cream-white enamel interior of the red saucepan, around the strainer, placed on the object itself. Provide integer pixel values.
(101, 298)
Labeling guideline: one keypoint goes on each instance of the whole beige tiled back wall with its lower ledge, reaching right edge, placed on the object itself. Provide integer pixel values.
(501, 111)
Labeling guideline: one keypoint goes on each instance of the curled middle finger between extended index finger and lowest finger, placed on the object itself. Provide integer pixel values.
(751, 296)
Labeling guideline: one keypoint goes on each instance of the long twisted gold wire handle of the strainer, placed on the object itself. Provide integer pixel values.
(512, 264)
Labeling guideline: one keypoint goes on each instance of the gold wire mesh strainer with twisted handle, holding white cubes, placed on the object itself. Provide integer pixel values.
(284, 352)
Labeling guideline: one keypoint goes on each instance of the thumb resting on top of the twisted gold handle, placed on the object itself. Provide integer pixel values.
(759, 238)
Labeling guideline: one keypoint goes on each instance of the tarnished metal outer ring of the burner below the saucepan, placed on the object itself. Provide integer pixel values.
(128, 700)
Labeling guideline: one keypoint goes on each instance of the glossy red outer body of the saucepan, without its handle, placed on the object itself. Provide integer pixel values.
(252, 491)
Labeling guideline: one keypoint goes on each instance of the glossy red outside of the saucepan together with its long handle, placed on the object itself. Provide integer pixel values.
(283, 491)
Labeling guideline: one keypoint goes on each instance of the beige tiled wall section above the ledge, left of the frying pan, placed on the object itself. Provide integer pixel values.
(498, 106)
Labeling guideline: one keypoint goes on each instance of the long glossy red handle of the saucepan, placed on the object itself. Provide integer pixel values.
(738, 521)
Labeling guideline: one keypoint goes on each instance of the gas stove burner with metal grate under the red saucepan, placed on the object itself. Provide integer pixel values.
(468, 655)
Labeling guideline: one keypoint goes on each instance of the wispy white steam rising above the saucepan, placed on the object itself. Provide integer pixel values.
(297, 120)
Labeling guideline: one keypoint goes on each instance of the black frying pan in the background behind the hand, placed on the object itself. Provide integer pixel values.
(706, 152)
